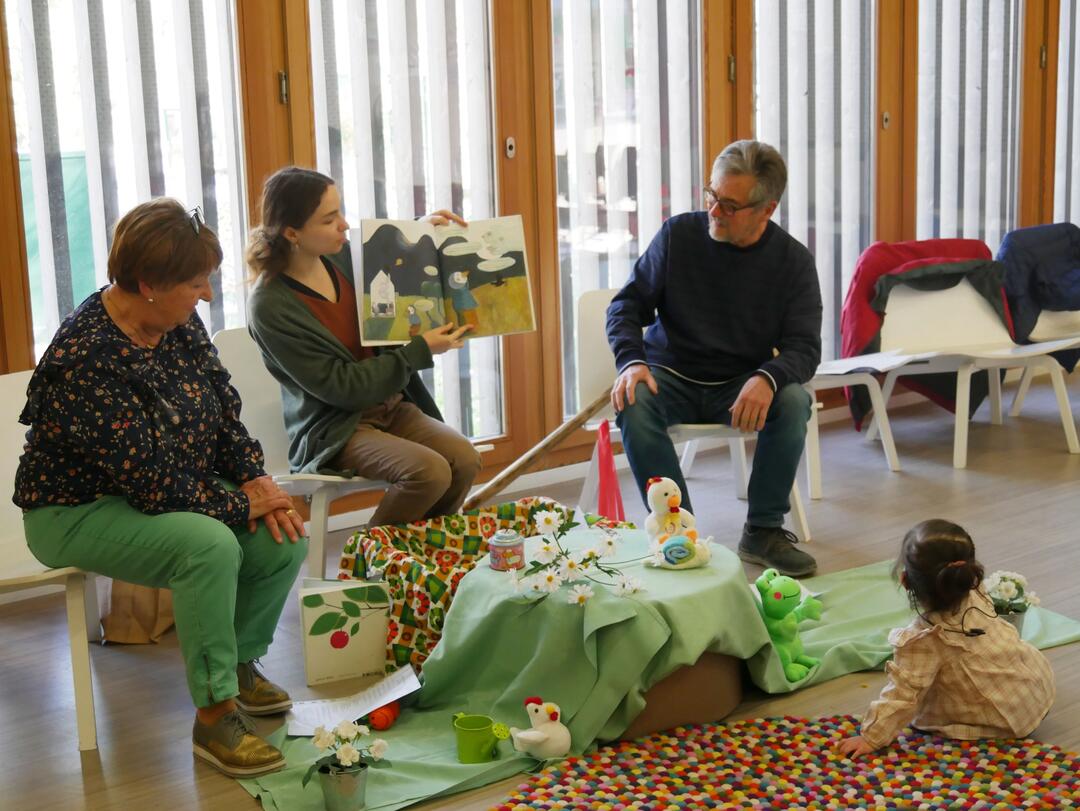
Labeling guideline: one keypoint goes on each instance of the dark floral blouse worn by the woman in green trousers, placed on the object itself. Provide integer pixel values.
(159, 427)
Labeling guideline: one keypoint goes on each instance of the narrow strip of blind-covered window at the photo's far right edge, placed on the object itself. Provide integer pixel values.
(1068, 153)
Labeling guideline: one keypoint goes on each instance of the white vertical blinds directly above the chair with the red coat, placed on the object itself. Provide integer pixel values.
(969, 118)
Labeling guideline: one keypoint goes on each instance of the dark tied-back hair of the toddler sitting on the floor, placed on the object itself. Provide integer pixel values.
(939, 562)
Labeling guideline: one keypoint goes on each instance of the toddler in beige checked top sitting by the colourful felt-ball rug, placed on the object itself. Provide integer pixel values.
(957, 670)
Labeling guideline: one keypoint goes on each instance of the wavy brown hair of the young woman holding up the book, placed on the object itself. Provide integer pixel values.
(290, 197)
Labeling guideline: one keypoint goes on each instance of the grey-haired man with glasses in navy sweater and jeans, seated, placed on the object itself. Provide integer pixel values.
(732, 312)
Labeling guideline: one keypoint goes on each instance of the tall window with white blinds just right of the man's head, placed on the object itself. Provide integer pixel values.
(814, 76)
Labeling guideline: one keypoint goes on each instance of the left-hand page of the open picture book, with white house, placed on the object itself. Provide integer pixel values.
(402, 292)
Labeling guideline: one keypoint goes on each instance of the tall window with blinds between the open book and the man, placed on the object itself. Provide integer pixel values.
(628, 145)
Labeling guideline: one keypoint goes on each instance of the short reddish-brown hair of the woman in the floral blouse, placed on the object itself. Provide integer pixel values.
(157, 244)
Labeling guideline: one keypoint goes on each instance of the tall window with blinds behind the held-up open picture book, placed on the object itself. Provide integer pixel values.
(403, 125)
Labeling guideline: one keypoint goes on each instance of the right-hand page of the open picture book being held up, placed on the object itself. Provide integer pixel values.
(485, 277)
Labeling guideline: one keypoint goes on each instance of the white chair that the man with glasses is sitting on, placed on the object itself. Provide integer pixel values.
(597, 371)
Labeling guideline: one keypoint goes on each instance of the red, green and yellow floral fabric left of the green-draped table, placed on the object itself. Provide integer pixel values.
(424, 562)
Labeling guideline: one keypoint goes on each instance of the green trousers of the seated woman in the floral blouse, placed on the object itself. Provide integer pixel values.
(229, 586)
